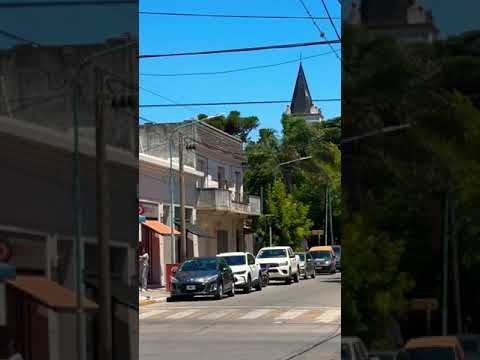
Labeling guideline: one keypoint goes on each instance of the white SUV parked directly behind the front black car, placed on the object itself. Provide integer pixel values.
(245, 269)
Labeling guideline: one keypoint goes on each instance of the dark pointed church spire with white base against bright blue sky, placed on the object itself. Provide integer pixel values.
(302, 104)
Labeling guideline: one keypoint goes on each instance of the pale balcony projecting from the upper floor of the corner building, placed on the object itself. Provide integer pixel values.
(225, 200)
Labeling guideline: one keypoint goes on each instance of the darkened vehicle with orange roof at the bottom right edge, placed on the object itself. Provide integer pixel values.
(436, 347)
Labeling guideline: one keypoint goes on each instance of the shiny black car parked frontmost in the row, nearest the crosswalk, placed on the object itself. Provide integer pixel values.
(203, 276)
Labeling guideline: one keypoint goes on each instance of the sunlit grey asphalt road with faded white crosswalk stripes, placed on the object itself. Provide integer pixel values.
(282, 322)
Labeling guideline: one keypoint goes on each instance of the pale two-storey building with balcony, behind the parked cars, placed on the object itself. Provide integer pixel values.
(218, 210)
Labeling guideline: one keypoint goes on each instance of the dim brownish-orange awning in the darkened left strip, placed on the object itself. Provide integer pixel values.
(49, 293)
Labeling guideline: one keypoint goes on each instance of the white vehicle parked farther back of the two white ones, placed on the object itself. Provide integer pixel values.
(281, 263)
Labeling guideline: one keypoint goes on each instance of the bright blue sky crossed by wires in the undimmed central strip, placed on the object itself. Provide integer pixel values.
(159, 34)
